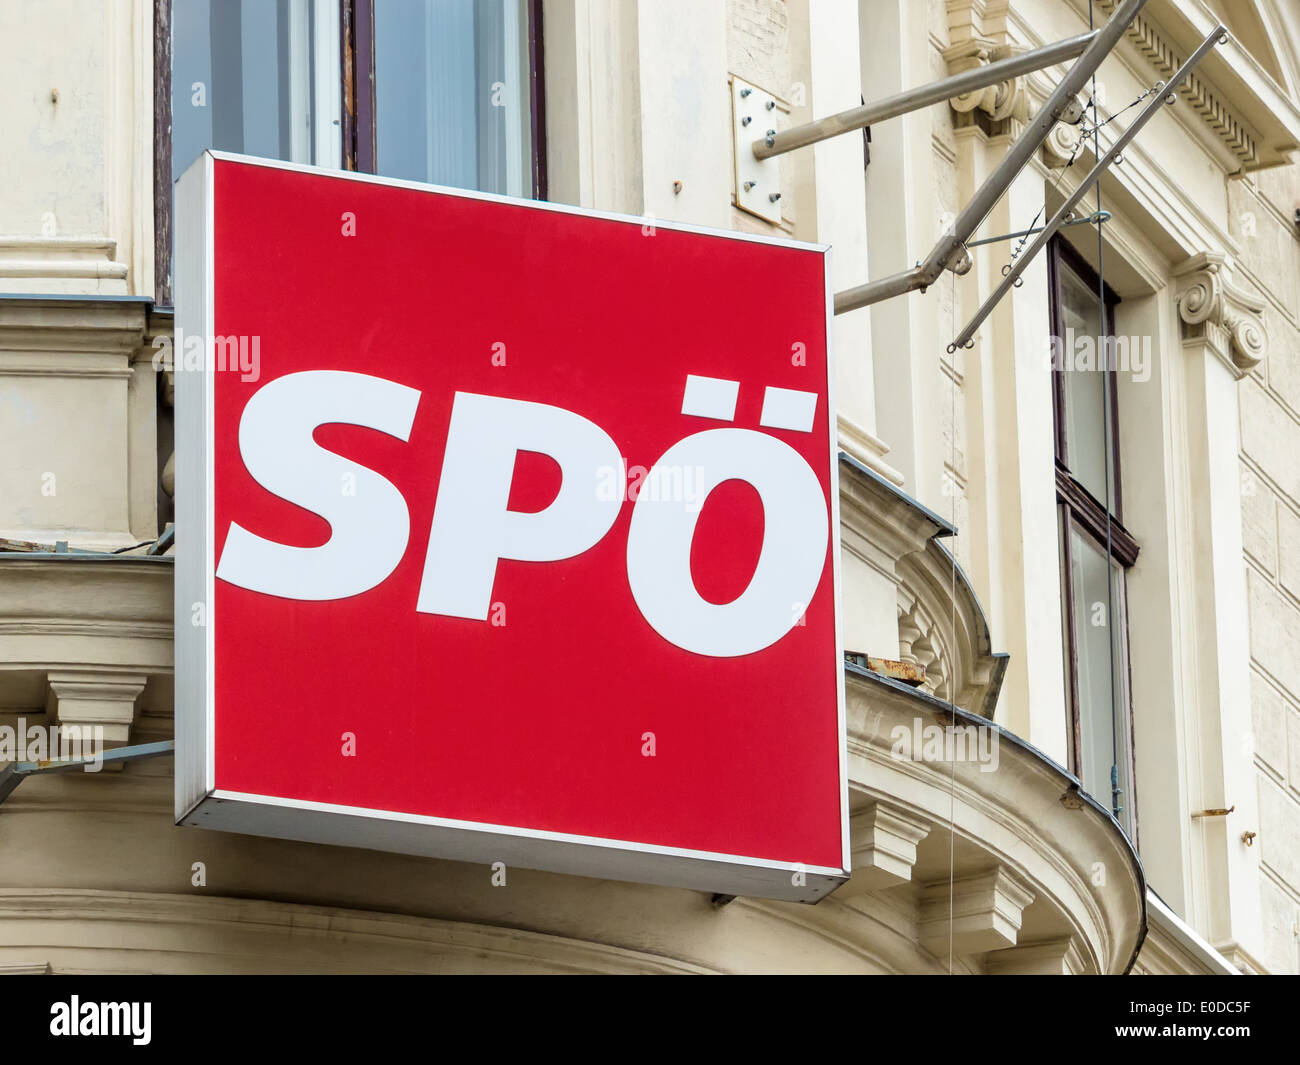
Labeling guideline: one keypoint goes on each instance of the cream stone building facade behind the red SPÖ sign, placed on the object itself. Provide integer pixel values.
(1078, 539)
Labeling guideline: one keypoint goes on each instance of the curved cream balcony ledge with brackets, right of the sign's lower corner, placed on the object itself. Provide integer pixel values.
(1043, 880)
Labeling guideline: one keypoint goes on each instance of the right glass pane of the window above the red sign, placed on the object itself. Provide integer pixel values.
(452, 94)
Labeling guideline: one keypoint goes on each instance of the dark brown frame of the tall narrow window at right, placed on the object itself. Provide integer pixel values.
(1082, 512)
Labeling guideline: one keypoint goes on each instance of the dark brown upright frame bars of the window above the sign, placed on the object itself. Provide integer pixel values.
(357, 70)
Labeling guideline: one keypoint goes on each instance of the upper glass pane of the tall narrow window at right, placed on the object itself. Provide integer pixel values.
(1087, 452)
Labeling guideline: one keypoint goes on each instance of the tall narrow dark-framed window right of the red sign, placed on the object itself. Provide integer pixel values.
(1095, 547)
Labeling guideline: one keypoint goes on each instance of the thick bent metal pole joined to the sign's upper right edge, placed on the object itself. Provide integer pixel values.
(952, 245)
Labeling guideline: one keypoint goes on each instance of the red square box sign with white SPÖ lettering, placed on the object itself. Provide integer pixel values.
(508, 532)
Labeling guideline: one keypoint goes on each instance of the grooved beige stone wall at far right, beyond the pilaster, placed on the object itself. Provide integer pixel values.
(1263, 211)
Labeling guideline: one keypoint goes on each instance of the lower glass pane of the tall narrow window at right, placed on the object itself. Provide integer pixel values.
(1103, 724)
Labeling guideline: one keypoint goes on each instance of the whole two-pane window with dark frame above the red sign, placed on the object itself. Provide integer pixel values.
(441, 92)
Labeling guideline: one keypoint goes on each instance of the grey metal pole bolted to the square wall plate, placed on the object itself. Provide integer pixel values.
(915, 99)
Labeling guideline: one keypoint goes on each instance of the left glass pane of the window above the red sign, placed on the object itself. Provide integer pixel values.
(259, 77)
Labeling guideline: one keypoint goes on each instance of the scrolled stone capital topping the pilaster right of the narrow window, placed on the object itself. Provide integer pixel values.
(1217, 315)
